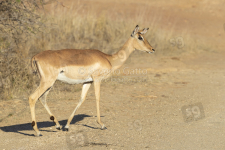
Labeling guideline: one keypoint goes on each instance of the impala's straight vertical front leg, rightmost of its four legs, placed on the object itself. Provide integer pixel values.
(97, 84)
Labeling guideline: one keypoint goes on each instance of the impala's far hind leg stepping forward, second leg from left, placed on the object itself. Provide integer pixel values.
(44, 103)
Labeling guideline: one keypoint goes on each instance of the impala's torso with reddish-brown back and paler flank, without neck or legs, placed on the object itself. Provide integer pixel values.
(71, 65)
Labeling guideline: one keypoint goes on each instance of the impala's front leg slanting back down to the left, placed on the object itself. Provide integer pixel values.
(85, 89)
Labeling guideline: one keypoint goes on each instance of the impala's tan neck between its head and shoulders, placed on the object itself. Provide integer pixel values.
(119, 58)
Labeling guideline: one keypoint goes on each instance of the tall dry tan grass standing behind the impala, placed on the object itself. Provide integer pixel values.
(67, 28)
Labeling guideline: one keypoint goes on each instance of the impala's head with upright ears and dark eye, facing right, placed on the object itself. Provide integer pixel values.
(140, 43)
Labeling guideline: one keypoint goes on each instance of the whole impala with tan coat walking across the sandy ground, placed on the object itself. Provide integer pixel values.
(71, 65)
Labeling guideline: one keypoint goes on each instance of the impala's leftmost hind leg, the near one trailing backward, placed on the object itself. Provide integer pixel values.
(43, 87)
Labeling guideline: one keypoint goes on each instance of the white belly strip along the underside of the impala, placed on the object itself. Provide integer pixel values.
(65, 79)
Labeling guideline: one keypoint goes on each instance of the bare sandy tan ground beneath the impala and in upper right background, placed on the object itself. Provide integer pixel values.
(177, 102)
